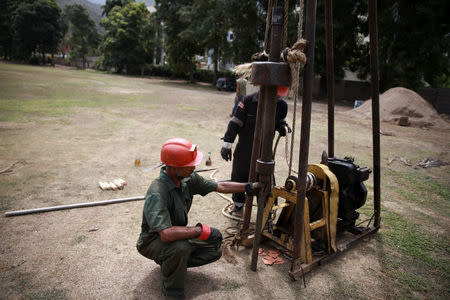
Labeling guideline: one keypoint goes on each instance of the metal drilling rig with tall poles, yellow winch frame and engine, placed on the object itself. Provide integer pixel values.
(318, 217)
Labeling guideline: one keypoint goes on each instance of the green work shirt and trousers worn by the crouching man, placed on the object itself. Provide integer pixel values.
(166, 206)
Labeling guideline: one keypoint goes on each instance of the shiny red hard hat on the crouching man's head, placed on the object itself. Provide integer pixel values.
(179, 152)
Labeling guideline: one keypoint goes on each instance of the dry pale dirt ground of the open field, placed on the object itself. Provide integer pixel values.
(61, 255)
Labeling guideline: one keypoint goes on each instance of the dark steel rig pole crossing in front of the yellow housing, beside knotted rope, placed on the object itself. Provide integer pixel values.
(306, 125)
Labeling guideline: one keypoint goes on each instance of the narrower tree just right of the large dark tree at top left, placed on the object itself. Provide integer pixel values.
(84, 36)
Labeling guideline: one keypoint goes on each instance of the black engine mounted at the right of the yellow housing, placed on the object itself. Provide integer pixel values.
(352, 192)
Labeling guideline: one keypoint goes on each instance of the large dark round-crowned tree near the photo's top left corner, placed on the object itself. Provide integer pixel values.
(38, 27)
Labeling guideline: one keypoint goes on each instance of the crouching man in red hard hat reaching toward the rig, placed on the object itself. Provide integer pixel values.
(165, 236)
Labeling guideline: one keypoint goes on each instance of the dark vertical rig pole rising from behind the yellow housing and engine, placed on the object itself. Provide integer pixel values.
(330, 74)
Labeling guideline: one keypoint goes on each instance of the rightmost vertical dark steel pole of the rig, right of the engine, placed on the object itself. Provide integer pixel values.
(375, 90)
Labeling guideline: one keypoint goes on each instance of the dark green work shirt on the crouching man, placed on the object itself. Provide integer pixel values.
(166, 205)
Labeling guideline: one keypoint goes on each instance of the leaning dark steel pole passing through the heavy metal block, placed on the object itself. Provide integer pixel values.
(265, 164)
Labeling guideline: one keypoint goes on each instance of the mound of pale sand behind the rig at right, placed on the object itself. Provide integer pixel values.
(401, 102)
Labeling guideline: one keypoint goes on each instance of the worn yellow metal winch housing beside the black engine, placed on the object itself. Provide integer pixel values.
(320, 218)
